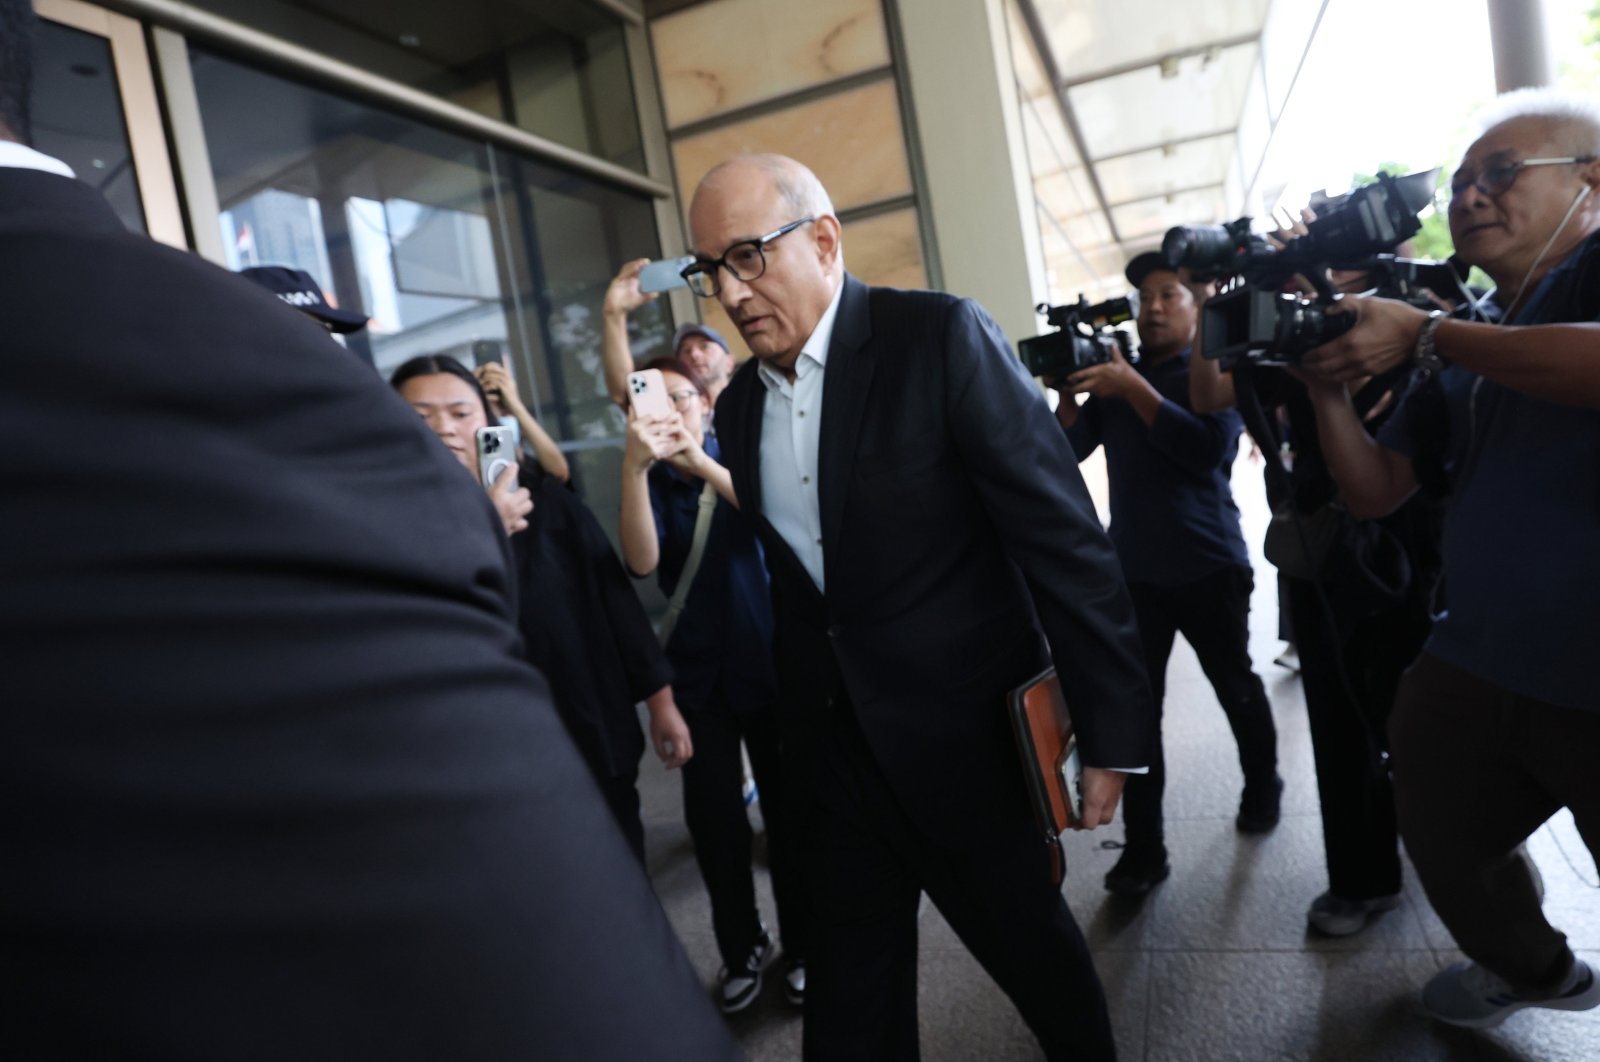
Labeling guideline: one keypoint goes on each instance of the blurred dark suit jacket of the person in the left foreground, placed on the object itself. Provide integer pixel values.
(274, 778)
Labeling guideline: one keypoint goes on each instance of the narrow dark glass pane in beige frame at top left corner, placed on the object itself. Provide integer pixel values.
(78, 116)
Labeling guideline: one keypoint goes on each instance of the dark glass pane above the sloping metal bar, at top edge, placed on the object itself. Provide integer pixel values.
(558, 68)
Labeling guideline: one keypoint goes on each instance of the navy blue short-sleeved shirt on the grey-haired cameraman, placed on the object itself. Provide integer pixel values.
(1522, 533)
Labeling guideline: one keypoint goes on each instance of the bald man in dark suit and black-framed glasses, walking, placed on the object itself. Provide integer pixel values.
(927, 532)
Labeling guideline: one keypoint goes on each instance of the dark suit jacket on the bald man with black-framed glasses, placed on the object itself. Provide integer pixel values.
(956, 532)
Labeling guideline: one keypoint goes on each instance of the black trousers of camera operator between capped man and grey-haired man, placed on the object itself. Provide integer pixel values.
(1350, 674)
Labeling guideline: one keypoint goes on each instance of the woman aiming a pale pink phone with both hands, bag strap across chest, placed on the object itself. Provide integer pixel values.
(721, 649)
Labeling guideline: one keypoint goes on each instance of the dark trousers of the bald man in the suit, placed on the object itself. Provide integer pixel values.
(866, 864)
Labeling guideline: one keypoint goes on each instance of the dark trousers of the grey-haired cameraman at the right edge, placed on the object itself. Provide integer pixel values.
(1478, 770)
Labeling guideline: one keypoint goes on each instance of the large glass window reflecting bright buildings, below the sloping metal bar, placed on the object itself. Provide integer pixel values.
(450, 246)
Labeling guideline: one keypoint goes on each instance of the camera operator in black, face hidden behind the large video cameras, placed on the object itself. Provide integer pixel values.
(1359, 602)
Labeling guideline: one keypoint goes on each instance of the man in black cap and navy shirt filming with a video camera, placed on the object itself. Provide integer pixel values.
(1177, 533)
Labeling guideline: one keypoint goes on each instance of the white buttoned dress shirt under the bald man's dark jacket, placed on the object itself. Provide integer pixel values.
(791, 434)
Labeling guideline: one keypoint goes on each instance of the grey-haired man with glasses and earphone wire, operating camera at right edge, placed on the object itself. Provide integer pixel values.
(1497, 725)
